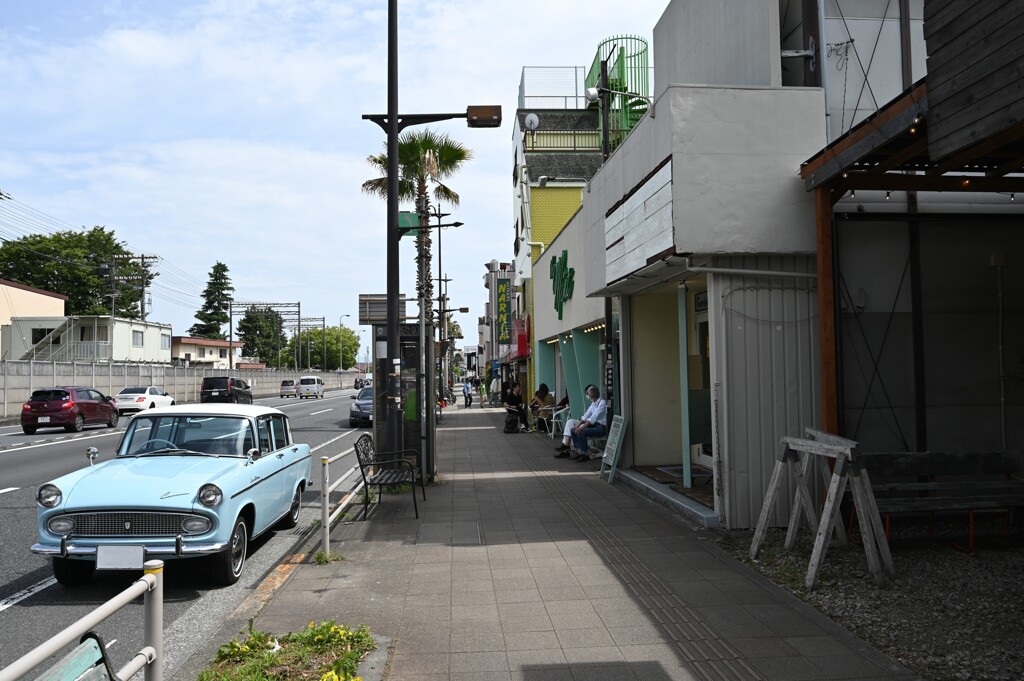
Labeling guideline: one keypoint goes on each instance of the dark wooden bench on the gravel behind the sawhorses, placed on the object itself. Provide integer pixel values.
(927, 483)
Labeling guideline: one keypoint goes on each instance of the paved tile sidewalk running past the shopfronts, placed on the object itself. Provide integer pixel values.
(527, 567)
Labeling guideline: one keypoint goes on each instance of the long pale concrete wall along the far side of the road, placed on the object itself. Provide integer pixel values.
(20, 378)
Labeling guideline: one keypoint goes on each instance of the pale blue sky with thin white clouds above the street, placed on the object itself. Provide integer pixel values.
(232, 132)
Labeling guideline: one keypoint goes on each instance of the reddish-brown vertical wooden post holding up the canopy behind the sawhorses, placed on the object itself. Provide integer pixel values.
(827, 311)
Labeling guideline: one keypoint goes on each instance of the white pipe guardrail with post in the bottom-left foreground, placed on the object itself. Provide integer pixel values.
(152, 655)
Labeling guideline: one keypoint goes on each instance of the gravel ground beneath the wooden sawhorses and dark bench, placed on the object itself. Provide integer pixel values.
(950, 616)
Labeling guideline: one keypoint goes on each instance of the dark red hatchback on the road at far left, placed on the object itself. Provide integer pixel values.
(68, 408)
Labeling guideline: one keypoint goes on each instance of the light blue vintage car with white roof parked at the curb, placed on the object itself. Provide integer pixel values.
(187, 481)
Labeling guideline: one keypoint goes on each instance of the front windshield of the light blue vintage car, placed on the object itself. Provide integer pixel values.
(221, 436)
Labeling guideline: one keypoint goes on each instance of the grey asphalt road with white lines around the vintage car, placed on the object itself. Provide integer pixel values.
(34, 608)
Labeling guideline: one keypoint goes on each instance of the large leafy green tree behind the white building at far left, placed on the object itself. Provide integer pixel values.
(91, 268)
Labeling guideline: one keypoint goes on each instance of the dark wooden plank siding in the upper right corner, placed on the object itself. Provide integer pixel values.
(975, 71)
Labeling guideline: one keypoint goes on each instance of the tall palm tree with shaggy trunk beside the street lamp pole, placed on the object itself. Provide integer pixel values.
(425, 158)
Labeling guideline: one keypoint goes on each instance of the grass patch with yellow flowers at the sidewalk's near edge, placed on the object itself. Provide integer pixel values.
(320, 653)
